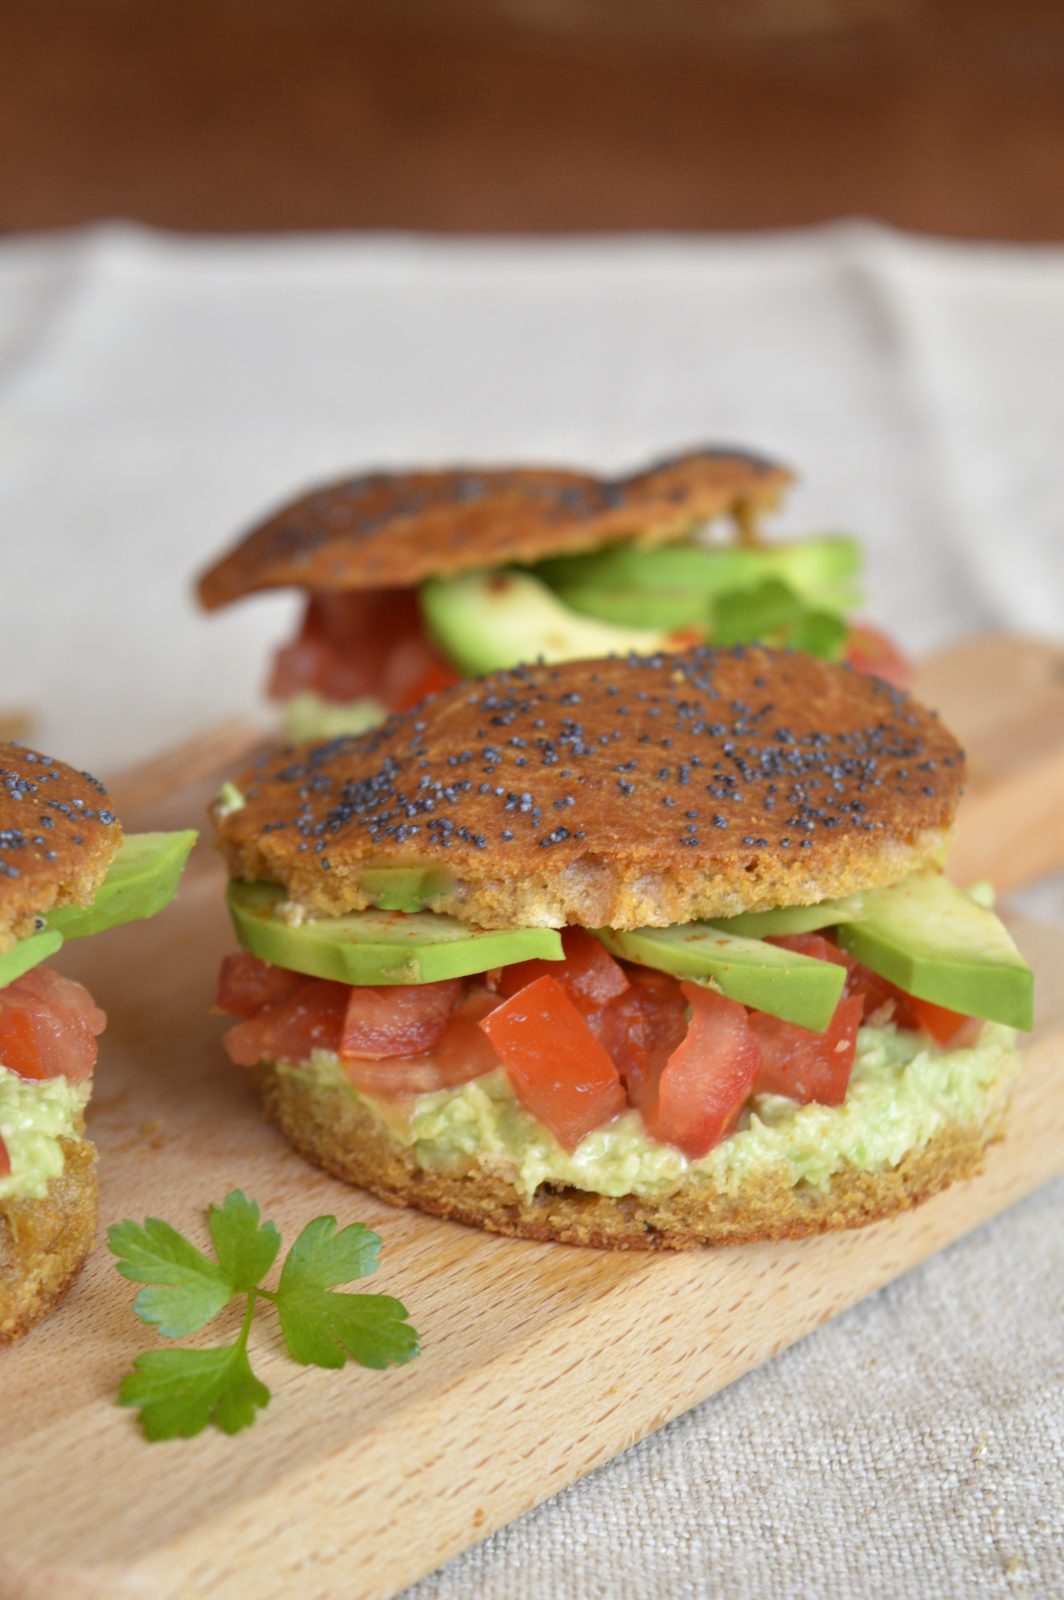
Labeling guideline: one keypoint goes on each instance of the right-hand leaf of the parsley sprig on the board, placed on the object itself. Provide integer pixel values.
(324, 1329)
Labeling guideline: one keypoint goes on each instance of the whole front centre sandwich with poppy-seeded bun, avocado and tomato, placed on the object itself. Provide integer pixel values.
(638, 953)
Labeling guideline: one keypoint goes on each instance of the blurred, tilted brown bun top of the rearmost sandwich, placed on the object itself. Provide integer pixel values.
(396, 529)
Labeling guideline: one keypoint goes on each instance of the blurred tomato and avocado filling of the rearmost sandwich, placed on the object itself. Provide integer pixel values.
(366, 654)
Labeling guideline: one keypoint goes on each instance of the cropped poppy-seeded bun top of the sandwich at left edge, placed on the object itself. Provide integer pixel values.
(57, 839)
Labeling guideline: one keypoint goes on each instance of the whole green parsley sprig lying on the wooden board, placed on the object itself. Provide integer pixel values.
(180, 1393)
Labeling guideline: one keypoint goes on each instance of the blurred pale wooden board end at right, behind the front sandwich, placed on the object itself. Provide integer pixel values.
(1004, 698)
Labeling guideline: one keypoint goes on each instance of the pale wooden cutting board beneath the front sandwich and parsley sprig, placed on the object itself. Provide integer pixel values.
(540, 1362)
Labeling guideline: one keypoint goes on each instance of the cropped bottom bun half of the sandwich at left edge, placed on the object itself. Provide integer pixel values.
(44, 1244)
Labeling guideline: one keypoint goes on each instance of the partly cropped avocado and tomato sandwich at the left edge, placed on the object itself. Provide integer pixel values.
(66, 871)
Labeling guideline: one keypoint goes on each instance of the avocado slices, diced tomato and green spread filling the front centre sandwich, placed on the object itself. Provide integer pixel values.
(628, 1062)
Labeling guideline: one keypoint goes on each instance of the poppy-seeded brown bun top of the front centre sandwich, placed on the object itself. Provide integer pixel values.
(623, 793)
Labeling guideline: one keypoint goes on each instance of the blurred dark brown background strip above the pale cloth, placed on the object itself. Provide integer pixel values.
(534, 114)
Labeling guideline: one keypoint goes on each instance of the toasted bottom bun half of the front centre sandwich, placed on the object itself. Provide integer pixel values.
(350, 1143)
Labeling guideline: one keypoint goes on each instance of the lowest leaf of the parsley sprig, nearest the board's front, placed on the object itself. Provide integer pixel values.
(182, 1391)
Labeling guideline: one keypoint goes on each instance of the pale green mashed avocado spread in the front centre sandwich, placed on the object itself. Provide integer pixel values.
(902, 1094)
